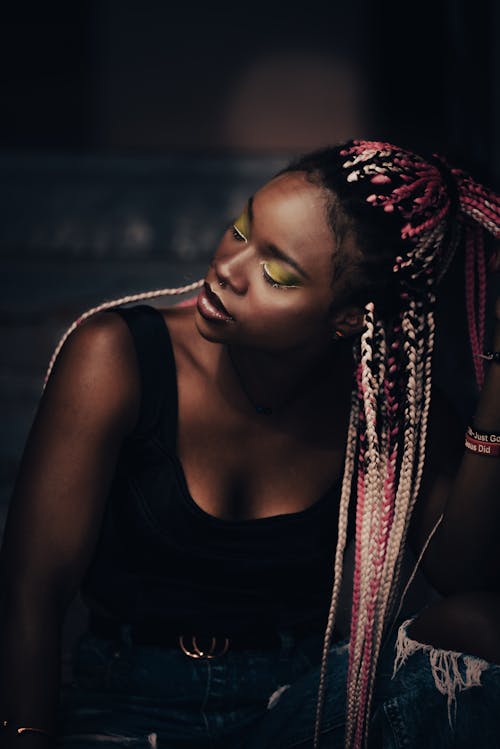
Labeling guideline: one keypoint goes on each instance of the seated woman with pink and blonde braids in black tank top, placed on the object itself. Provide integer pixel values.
(199, 473)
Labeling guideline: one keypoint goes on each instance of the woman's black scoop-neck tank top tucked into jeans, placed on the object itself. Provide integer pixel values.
(161, 557)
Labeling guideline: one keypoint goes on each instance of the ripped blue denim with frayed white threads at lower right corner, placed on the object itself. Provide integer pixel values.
(430, 698)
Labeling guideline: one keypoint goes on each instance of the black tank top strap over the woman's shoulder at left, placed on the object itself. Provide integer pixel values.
(156, 361)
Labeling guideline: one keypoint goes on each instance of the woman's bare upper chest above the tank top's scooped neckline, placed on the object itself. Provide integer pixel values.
(239, 468)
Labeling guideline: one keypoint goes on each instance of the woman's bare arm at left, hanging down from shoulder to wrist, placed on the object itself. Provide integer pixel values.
(91, 402)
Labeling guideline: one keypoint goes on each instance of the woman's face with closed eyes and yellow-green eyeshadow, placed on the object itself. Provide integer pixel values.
(269, 285)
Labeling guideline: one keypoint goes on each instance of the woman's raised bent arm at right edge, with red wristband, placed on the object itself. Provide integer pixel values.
(464, 554)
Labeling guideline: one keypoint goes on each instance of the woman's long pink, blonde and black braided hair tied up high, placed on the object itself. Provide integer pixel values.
(408, 215)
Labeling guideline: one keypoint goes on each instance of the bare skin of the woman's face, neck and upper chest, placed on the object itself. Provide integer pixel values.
(239, 464)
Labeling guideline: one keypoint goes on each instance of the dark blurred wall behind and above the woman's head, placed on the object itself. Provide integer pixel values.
(151, 76)
